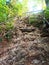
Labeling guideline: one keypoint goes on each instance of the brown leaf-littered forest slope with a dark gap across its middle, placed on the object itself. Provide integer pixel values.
(26, 47)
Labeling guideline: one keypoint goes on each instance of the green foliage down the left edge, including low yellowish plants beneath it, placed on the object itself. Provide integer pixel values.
(5, 16)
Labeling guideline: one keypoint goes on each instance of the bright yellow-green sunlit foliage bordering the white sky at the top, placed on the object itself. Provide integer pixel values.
(18, 7)
